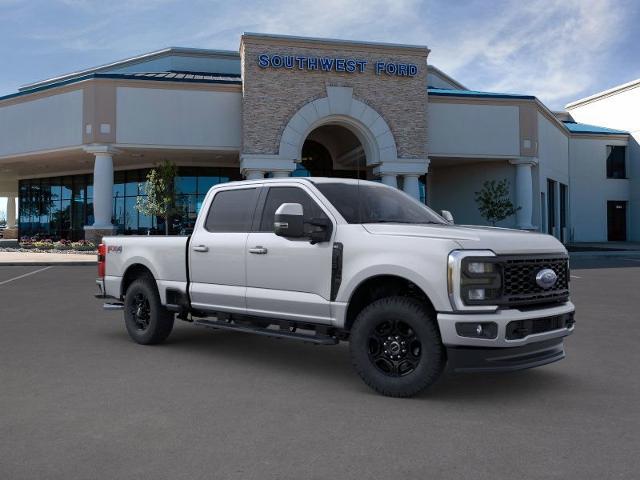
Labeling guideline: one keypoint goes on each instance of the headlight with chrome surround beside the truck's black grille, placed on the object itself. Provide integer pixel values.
(474, 280)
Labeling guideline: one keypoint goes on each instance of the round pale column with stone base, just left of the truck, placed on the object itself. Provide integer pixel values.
(102, 192)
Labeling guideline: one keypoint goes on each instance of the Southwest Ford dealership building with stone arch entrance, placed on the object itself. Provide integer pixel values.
(75, 150)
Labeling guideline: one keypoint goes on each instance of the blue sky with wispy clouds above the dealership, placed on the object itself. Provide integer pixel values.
(558, 50)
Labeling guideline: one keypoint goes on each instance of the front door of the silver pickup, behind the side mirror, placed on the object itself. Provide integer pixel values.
(288, 278)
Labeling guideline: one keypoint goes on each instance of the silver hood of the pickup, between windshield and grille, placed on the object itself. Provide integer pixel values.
(499, 240)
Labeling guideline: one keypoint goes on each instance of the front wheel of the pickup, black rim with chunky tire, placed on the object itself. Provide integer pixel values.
(396, 347)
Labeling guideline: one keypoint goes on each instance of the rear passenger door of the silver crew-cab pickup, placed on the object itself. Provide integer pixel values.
(217, 260)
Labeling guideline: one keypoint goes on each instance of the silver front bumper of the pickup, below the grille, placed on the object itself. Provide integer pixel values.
(450, 337)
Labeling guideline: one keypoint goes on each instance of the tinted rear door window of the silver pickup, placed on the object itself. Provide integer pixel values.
(232, 211)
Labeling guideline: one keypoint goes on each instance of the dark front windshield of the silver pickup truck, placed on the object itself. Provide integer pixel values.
(366, 203)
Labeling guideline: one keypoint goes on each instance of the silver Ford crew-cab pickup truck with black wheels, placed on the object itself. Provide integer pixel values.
(325, 259)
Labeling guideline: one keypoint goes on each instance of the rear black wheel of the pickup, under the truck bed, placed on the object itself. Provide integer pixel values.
(147, 321)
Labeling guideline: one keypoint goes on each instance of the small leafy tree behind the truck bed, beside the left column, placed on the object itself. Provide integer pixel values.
(160, 193)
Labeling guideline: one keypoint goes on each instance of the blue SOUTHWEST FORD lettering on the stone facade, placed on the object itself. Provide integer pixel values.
(332, 64)
